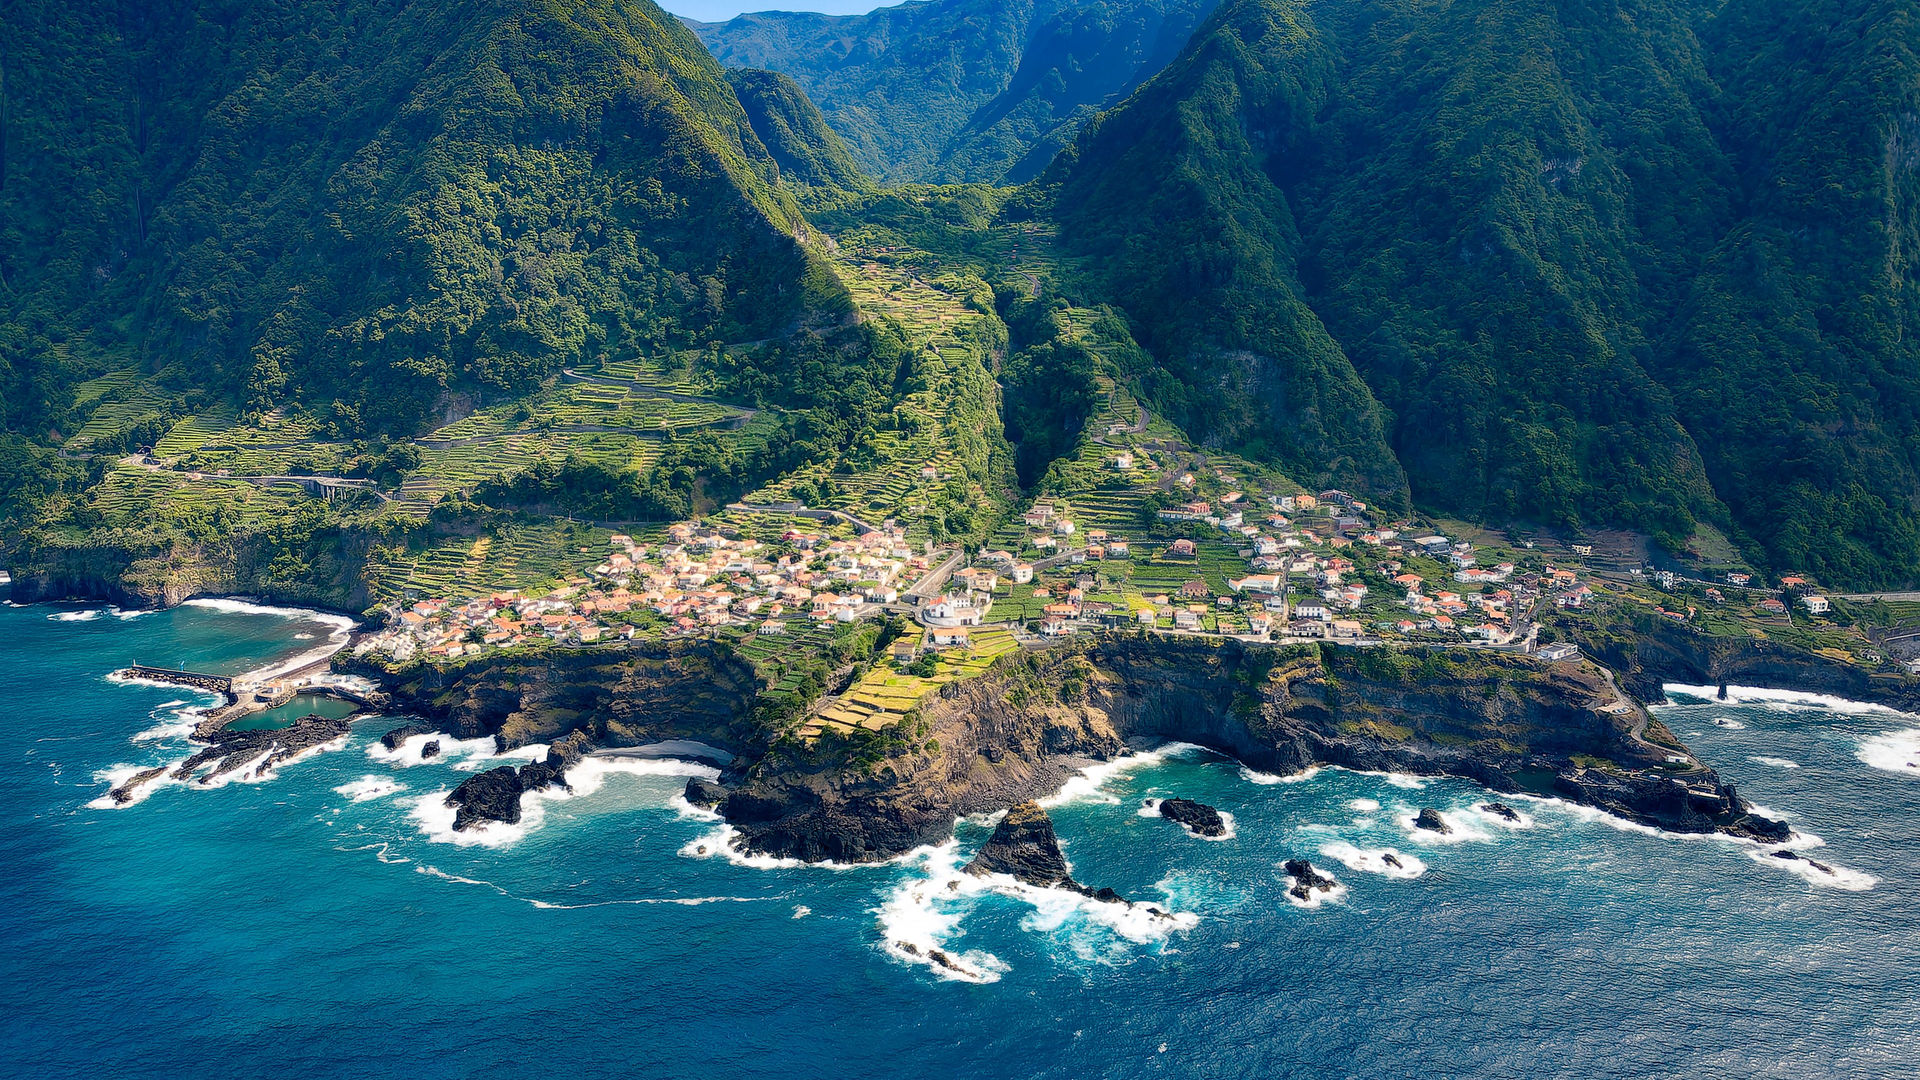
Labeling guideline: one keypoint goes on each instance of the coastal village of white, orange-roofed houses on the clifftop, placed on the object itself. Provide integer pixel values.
(1307, 568)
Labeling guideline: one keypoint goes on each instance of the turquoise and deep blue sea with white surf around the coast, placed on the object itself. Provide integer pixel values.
(322, 925)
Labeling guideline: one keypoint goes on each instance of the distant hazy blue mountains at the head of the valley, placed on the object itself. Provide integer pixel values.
(963, 89)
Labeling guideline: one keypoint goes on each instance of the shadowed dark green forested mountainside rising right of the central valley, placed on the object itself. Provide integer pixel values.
(1589, 258)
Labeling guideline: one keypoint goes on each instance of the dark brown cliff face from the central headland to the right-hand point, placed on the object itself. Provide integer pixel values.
(1504, 722)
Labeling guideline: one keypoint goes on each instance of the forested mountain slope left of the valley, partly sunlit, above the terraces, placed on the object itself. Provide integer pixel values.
(372, 205)
